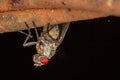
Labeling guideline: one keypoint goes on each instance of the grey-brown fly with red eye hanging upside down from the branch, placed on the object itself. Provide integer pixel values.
(47, 43)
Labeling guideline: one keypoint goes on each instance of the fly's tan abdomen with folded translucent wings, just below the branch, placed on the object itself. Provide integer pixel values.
(56, 33)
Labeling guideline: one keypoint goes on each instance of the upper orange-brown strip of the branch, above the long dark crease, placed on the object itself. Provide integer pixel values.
(106, 6)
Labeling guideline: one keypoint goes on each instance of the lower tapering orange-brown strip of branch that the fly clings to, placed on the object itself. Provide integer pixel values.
(15, 20)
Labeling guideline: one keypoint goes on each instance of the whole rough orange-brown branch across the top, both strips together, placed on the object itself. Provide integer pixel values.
(14, 13)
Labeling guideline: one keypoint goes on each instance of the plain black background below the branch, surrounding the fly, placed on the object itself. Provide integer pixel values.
(90, 50)
